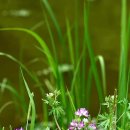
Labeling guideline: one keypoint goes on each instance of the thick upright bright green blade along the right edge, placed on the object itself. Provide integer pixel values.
(122, 87)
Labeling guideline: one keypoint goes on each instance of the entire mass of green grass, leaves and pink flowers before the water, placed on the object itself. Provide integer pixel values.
(62, 100)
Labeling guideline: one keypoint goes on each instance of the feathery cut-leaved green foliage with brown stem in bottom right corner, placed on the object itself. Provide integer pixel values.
(109, 120)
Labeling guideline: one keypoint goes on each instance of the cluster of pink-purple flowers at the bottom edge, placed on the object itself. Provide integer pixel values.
(82, 121)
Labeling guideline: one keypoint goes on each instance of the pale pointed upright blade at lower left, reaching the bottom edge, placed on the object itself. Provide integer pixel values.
(33, 109)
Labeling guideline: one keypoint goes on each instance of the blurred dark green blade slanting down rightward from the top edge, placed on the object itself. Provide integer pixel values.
(56, 24)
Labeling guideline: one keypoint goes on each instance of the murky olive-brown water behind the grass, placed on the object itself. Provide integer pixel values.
(104, 31)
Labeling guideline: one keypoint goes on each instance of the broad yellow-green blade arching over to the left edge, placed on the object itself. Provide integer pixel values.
(48, 54)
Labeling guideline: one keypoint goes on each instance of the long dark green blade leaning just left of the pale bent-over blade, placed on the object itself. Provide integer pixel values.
(92, 57)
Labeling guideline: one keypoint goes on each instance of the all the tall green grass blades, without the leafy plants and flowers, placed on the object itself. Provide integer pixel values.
(79, 90)
